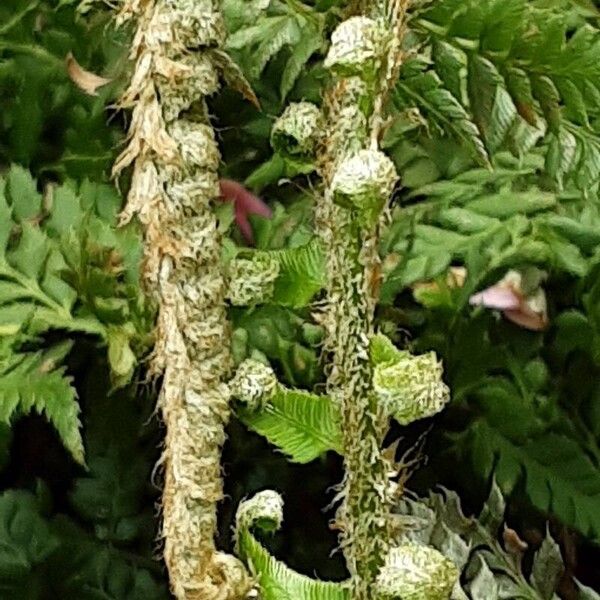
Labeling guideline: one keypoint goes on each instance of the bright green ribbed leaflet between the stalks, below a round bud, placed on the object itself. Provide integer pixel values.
(302, 425)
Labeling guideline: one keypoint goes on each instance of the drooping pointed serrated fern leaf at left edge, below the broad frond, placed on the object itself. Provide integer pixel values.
(31, 382)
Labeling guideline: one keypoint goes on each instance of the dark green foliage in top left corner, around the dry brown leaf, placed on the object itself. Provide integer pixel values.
(47, 123)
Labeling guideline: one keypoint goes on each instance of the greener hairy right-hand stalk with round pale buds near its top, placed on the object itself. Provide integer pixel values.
(358, 182)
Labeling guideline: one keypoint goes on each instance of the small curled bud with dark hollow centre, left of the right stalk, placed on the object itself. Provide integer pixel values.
(296, 131)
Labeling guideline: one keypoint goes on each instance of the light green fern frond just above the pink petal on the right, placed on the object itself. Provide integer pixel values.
(505, 213)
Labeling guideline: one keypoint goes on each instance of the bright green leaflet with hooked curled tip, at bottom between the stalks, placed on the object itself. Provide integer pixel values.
(276, 581)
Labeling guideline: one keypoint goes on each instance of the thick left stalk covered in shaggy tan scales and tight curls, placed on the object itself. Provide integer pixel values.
(175, 159)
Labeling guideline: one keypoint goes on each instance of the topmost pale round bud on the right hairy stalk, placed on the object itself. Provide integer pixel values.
(357, 46)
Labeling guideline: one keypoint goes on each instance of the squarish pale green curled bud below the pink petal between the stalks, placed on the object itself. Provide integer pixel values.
(252, 280)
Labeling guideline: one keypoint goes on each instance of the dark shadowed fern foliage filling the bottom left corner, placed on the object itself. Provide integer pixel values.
(100, 544)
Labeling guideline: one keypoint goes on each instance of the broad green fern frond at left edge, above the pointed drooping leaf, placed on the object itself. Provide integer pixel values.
(63, 265)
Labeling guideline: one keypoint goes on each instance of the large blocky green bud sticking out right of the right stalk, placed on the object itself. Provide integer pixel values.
(411, 388)
